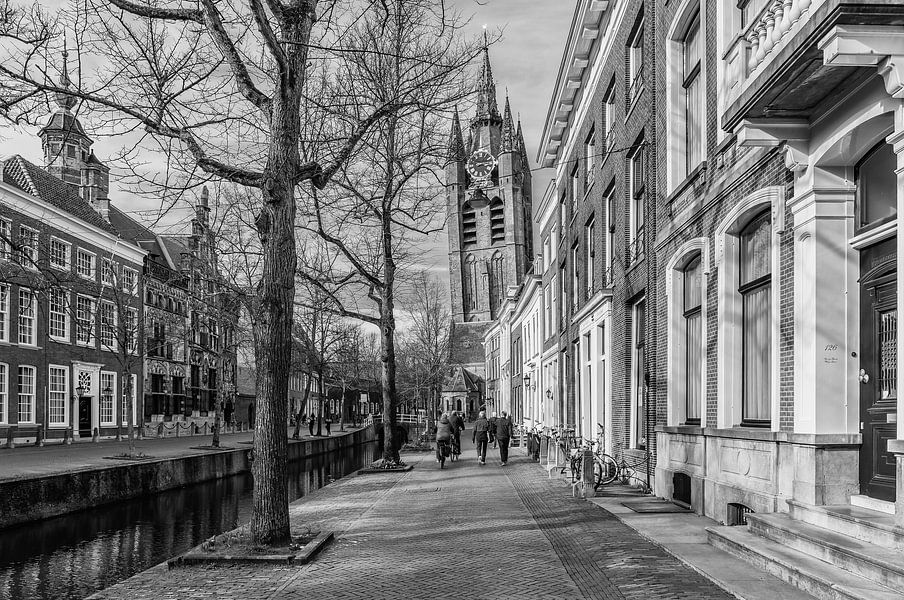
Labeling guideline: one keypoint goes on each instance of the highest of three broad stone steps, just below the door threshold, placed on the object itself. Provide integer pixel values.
(860, 523)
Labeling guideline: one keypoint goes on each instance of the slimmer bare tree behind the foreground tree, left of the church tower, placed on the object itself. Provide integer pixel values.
(389, 195)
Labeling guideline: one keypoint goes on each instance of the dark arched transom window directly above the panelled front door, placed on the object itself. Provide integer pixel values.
(876, 186)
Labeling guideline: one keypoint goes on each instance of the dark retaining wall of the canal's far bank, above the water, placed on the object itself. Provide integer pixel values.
(36, 498)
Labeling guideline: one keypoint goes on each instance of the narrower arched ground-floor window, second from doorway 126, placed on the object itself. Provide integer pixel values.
(692, 303)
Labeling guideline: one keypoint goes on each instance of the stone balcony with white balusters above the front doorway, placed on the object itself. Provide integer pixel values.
(793, 54)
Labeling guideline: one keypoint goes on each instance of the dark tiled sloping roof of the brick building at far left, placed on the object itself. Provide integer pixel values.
(34, 180)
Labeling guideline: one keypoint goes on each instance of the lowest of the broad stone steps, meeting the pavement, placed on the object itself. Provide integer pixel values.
(817, 578)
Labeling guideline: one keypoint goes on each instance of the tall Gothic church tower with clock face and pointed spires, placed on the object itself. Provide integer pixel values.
(488, 193)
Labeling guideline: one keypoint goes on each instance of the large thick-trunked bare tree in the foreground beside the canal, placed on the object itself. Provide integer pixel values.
(220, 89)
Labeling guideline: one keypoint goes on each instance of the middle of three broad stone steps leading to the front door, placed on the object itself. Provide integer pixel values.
(877, 563)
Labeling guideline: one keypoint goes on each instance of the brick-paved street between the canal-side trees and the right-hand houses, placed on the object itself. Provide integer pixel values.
(467, 531)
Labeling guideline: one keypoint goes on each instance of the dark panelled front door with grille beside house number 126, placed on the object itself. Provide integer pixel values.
(878, 369)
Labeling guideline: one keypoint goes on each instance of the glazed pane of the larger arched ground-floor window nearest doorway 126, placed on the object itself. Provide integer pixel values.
(755, 287)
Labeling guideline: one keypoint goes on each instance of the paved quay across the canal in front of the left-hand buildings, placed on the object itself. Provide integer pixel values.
(53, 459)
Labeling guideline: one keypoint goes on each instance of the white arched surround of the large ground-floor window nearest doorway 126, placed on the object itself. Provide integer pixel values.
(729, 364)
